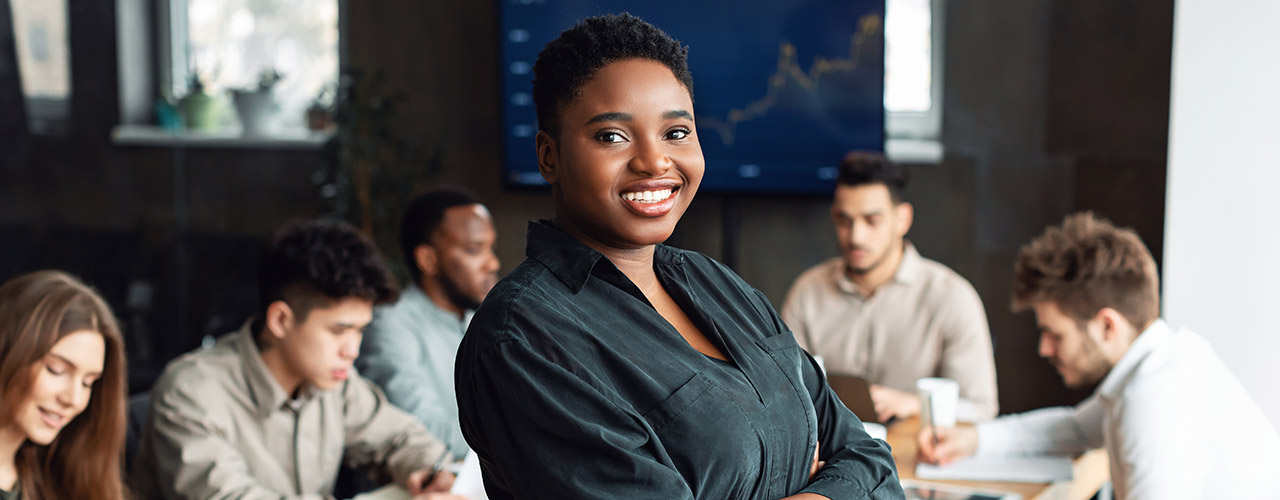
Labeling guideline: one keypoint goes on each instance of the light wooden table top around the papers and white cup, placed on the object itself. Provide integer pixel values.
(1090, 473)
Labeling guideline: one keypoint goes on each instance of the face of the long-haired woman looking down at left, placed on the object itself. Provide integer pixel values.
(62, 386)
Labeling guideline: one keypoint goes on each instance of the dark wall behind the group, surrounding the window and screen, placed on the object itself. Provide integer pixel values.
(1052, 107)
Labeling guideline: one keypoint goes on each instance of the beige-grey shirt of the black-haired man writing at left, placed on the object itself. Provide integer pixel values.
(222, 428)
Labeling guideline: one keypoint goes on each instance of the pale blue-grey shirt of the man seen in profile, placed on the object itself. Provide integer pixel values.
(409, 352)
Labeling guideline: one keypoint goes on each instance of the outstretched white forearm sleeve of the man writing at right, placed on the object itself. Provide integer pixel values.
(1049, 432)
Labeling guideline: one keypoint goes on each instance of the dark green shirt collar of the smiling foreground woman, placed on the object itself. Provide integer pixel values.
(572, 260)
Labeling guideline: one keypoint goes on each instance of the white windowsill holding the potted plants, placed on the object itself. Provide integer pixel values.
(152, 136)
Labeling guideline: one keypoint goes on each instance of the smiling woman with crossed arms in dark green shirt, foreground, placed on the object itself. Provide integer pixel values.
(610, 365)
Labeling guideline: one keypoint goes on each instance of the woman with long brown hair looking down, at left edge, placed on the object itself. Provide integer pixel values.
(62, 403)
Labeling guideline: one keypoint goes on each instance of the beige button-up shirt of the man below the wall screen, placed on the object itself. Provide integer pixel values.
(925, 323)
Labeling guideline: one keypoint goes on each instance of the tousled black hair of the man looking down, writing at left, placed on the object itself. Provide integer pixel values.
(312, 263)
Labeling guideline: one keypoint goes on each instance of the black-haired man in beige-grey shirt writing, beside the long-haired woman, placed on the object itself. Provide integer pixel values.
(272, 410)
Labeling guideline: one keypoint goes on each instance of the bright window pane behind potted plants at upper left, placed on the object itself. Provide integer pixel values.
(230, 44)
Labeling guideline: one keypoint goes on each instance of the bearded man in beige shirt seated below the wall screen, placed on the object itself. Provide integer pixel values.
(881, 311)
